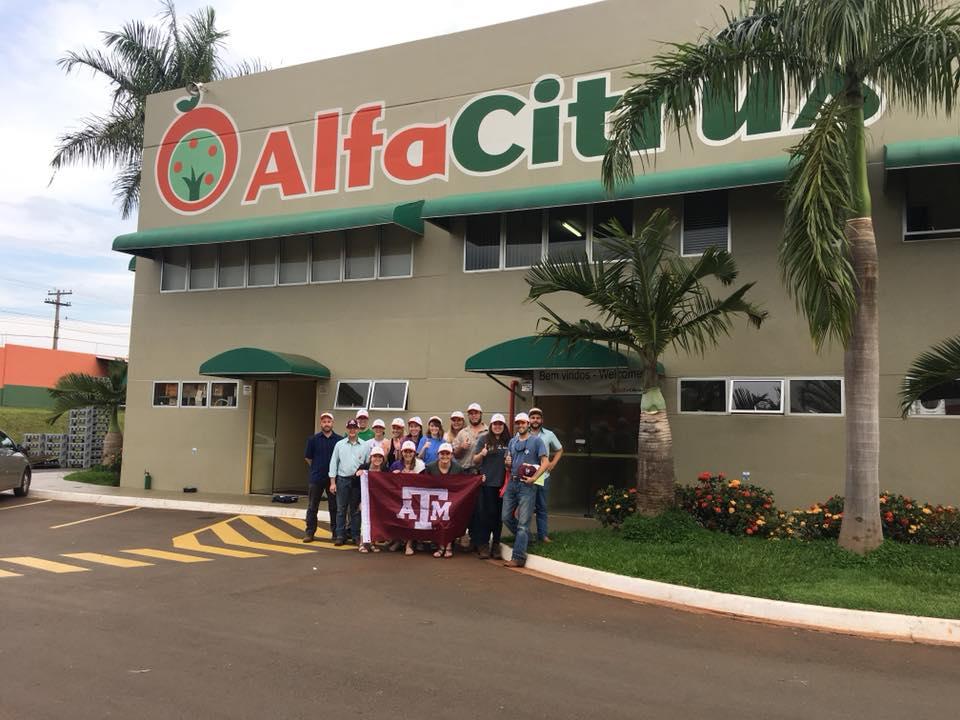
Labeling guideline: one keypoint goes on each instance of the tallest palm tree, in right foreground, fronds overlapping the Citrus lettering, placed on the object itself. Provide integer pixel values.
(908, 50)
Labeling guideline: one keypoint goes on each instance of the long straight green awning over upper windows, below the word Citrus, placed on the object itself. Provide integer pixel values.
(649, 184)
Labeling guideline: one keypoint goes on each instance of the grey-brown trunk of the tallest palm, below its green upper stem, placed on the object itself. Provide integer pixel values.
(861, 530)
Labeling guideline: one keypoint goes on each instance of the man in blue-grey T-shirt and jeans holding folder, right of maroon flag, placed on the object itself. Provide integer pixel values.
(526, 456)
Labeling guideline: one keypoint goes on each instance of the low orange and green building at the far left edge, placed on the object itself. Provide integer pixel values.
(27, 372)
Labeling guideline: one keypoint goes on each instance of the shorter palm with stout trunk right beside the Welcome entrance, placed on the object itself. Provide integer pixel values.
(648, 300)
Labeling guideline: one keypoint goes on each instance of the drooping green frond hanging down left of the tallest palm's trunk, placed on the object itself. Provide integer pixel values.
(814, 255)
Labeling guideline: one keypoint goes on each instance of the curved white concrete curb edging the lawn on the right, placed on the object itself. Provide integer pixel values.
(863, 623)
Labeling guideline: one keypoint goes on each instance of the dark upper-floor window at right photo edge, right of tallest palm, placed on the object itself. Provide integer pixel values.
(933, 212)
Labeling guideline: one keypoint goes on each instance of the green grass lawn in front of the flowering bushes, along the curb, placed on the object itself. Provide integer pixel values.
(900, 578)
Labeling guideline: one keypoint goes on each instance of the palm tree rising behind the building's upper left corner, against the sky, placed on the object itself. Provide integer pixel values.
(141, 59)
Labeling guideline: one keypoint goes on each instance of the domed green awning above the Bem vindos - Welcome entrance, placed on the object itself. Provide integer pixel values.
(535, 353)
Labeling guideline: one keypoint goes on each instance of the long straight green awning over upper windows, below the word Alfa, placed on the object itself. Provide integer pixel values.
(406, 215)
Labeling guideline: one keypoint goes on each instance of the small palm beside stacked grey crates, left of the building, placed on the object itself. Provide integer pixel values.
(79, 390)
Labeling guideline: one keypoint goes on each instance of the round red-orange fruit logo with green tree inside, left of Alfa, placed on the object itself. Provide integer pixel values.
(197, 158)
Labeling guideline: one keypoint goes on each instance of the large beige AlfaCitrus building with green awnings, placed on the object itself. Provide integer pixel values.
(353, 232)
